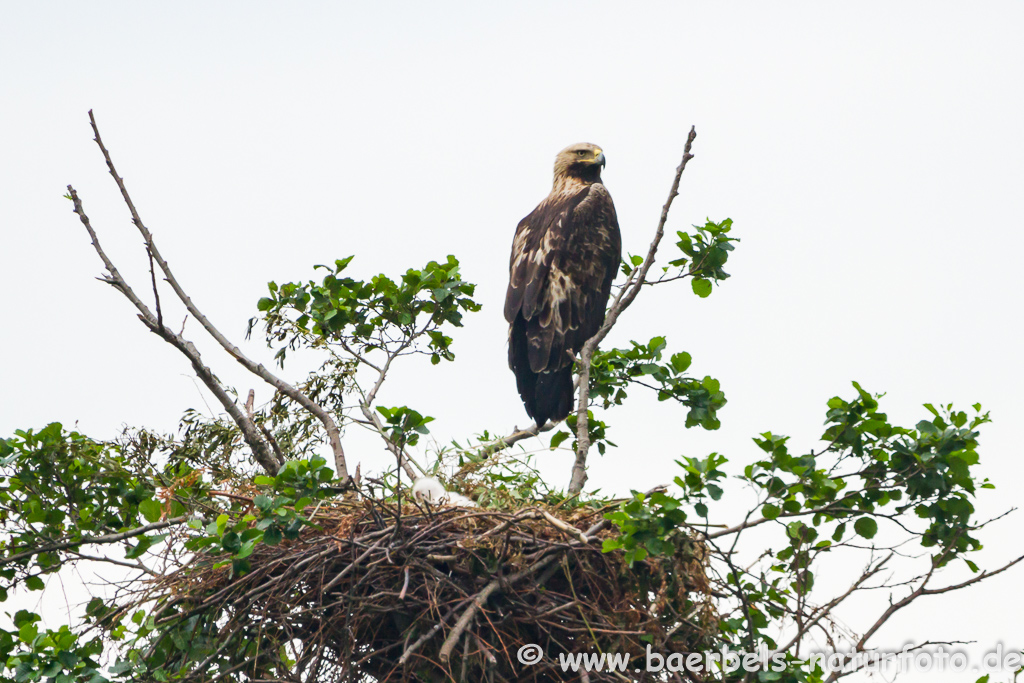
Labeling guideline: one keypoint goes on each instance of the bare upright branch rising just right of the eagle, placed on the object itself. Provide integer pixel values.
(622, 302)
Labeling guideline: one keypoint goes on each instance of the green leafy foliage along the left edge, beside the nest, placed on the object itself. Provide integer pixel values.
(62, 493)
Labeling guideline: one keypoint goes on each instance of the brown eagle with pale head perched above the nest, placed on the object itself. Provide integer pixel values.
(565, 258)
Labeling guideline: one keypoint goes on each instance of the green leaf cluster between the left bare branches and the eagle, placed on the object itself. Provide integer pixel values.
(377, 314)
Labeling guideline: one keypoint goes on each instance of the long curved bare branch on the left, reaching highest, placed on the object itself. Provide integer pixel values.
(334, 434)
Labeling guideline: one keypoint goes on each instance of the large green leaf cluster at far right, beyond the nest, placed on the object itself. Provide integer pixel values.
(926, 469)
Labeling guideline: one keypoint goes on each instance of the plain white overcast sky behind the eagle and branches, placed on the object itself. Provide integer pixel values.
(871, 156)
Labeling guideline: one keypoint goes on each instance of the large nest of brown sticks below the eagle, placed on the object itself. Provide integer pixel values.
(438, 595)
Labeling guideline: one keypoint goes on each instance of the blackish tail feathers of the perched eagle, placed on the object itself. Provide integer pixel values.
(546, 396)
